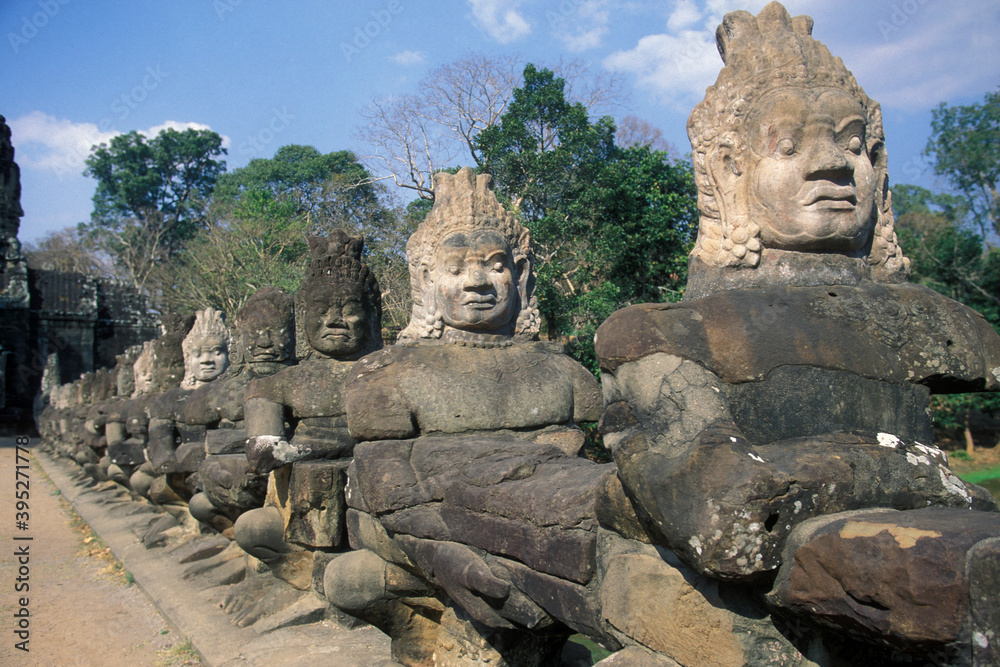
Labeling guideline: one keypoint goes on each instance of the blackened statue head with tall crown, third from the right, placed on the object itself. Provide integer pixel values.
(338, 306)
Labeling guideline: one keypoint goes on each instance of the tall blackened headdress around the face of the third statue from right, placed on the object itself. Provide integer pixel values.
(336, 259)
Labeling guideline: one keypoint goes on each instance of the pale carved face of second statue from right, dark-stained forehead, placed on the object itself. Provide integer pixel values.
(475, 286)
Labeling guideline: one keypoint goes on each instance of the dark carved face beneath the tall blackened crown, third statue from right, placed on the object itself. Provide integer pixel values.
(335, 320)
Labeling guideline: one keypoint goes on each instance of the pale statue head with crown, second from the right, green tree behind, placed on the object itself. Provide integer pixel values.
(470, 265)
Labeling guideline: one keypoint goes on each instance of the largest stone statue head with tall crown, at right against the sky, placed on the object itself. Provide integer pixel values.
(789, 152)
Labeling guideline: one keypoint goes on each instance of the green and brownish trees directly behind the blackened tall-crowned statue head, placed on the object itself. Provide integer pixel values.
(257, 226)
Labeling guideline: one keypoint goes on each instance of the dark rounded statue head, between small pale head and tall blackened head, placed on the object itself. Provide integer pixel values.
(263, 333)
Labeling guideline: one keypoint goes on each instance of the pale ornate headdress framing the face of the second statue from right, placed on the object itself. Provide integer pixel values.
(464, 202)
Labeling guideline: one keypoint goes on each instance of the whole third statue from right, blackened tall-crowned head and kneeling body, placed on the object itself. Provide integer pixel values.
(295, 419)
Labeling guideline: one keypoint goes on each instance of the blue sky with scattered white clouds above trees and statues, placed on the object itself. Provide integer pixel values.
(266, 74)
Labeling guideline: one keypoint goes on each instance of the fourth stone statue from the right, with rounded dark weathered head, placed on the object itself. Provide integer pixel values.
(212, 425)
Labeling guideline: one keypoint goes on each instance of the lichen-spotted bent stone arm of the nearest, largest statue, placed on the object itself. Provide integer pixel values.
(696, 484)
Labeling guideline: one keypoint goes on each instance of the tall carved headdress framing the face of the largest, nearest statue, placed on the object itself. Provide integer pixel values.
(761, 54)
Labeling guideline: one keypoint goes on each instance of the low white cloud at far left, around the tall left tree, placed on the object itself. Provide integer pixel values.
(61, 146)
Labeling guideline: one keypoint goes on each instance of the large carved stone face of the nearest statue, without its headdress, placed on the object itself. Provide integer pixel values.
(808, 180)
